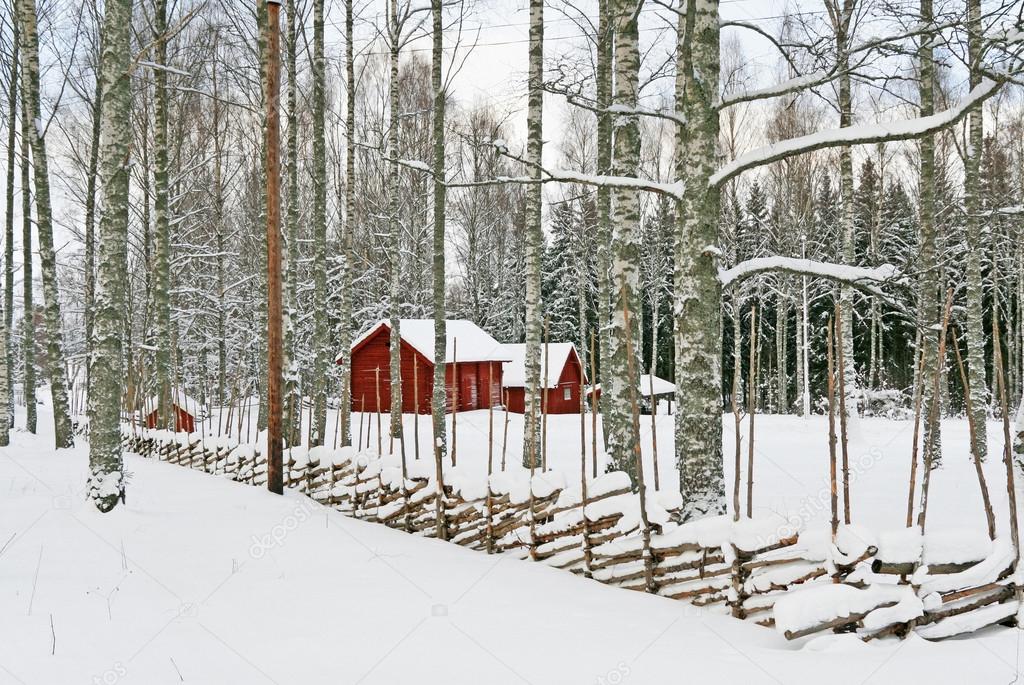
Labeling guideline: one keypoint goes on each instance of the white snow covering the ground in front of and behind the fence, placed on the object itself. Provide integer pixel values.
(203, 581)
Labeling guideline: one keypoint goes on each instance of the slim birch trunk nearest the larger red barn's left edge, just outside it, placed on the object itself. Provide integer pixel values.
(346, 314)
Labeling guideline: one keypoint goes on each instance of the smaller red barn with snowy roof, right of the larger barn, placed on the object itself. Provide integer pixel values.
(562, 389)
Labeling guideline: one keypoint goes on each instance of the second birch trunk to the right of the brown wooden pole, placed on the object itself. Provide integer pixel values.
(322, 335)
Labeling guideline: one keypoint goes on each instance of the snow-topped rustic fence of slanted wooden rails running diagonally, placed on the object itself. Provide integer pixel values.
(762, 570)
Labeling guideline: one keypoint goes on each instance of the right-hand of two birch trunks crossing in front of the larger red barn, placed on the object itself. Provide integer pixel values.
(439, 398)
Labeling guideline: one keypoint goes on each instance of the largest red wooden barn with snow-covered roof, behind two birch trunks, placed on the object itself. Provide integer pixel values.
(478, 357)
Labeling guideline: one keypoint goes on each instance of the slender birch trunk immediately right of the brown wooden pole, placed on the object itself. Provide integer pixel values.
(292, 401)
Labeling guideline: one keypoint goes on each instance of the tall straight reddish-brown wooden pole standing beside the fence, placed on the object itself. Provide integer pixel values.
(275, 482)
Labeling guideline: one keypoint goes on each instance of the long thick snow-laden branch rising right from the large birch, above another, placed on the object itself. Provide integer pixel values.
(857, 136)
